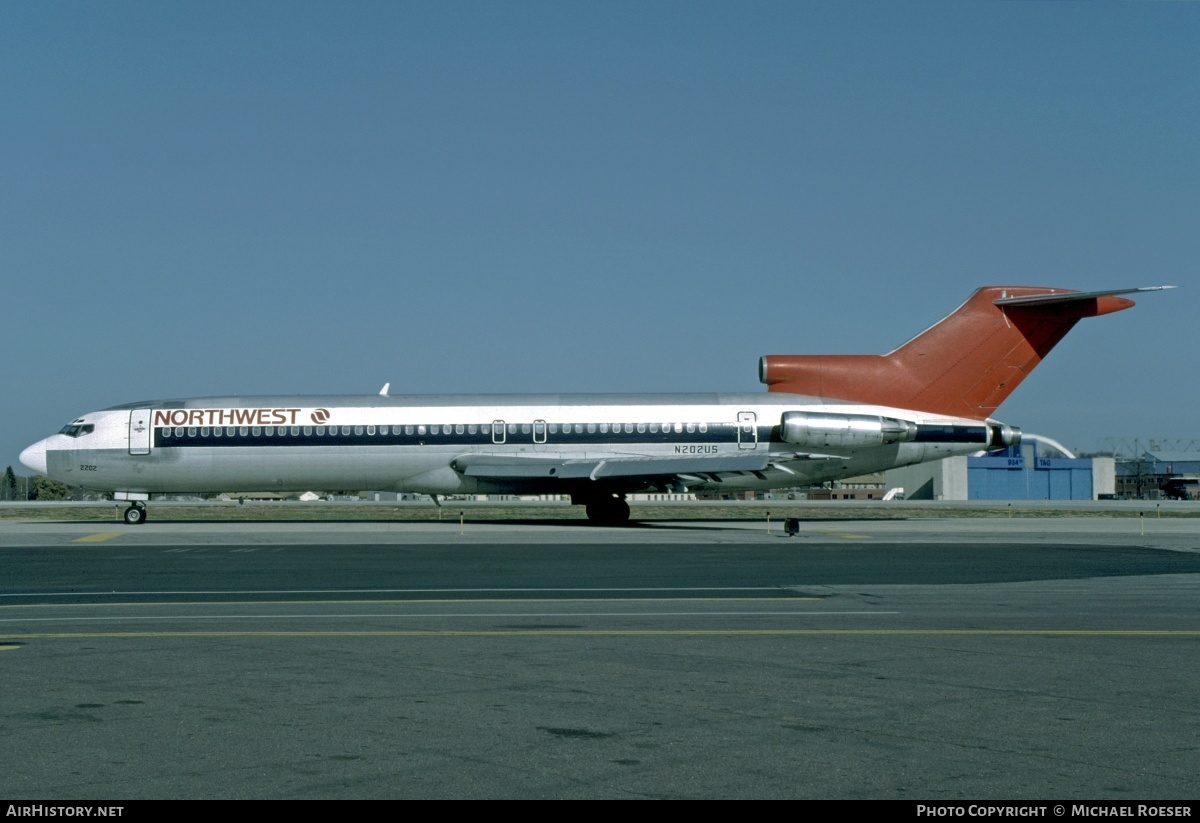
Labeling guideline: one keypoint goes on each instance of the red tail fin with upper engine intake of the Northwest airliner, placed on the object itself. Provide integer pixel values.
(965, 365)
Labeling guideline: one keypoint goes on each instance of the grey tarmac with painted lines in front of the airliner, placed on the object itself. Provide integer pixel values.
(921, 659)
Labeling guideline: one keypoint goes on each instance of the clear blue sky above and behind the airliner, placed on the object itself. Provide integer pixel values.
(478, 197)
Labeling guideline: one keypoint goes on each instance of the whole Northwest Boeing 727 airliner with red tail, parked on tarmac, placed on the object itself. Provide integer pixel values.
(823, 418)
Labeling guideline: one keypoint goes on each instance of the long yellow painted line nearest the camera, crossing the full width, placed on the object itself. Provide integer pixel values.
(633, 633)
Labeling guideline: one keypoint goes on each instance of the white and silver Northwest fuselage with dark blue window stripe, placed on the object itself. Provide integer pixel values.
(573, 444)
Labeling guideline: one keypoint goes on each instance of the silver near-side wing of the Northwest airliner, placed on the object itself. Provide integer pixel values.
(521, 467)
